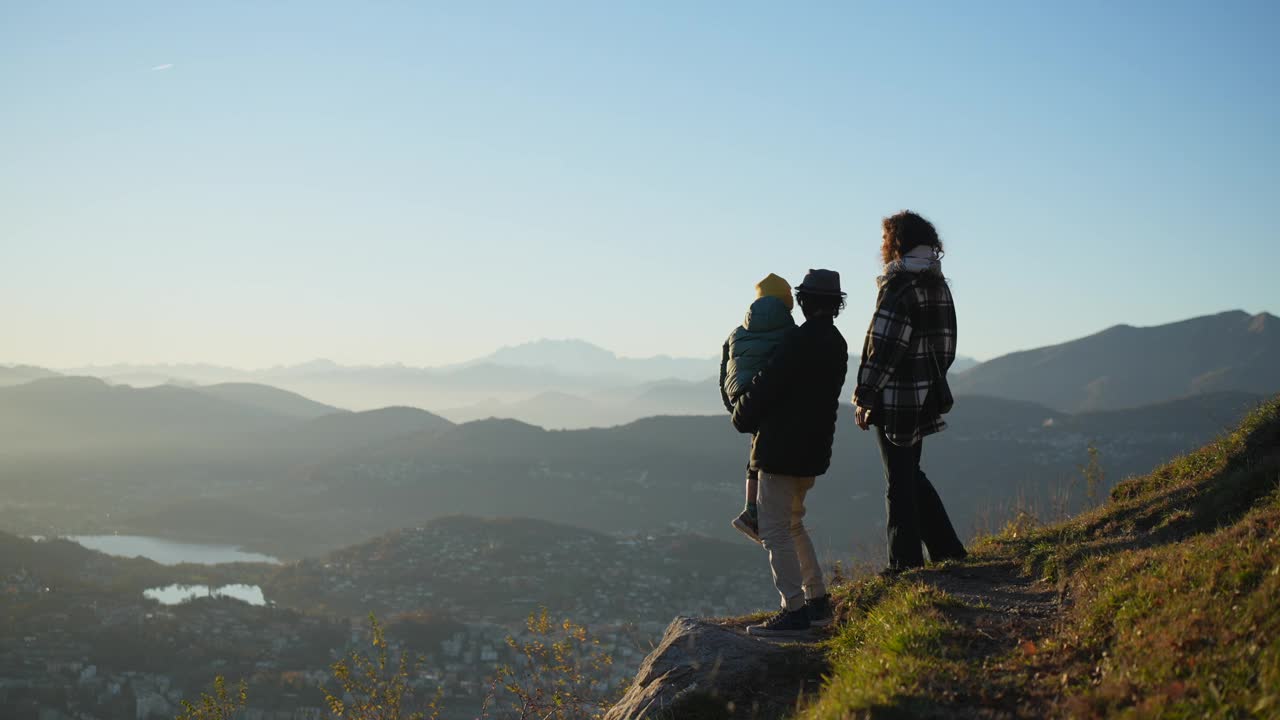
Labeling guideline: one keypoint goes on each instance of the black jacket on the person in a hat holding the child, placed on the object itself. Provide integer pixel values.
(793, 404)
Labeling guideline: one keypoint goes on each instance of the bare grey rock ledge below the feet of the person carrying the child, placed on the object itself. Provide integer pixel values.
(705, 671)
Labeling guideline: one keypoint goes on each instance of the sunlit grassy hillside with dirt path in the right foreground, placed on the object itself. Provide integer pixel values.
(1162, 603)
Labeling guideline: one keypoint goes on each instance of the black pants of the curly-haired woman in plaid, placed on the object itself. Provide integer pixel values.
(916, 512)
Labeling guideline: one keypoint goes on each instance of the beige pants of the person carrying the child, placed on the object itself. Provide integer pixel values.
(796, 567)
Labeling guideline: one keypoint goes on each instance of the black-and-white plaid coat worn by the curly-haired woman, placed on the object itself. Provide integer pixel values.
(913, 313)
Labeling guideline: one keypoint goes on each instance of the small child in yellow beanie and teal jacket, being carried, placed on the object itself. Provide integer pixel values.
(747, 353)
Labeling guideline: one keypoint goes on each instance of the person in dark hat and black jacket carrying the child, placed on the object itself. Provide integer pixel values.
(792, 412)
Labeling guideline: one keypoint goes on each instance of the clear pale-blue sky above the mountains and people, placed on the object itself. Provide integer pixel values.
(254, 184)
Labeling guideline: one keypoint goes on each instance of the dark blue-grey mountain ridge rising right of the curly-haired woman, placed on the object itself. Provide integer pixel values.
(1128, 367)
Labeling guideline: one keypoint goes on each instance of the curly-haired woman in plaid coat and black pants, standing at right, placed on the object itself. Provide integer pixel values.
(909, 347)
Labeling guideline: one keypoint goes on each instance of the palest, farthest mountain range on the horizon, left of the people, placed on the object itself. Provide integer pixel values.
(555, 384)
